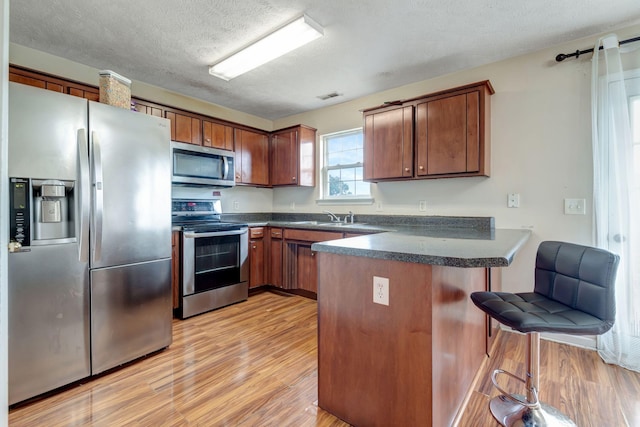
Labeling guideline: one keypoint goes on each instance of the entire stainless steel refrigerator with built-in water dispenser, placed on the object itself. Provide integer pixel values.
(89, 267)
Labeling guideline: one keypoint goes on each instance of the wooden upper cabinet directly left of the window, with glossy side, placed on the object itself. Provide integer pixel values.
(293, 156)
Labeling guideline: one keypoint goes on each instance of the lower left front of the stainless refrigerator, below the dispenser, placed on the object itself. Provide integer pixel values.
(48, 320)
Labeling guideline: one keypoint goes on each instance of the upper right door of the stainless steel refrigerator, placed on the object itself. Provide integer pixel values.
(131, 178)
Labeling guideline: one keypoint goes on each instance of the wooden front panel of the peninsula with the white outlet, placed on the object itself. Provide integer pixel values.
(374, 361)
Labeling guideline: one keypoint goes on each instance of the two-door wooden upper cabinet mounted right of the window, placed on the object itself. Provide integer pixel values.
(440, 135)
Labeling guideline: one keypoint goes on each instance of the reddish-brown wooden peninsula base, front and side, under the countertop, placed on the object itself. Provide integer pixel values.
(409, 363)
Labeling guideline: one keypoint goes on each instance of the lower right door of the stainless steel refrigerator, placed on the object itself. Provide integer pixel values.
(131, 312)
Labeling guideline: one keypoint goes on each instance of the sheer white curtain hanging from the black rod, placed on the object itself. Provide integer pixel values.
(615, 97)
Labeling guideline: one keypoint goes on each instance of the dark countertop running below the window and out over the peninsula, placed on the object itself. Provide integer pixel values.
(436, 240)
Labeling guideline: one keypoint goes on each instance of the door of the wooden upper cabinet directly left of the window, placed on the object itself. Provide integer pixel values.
(284, 158)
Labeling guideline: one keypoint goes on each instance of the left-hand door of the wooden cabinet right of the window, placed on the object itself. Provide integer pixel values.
(388, 144)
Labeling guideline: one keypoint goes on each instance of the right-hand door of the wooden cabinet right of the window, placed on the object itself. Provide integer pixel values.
(447, 135)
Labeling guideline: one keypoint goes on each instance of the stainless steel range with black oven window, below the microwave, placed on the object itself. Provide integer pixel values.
(214, 268)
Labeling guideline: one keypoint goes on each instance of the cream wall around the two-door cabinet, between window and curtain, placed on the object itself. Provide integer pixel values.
(541, 149)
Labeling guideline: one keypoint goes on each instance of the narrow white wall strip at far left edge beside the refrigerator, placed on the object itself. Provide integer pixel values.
(4, 210)
